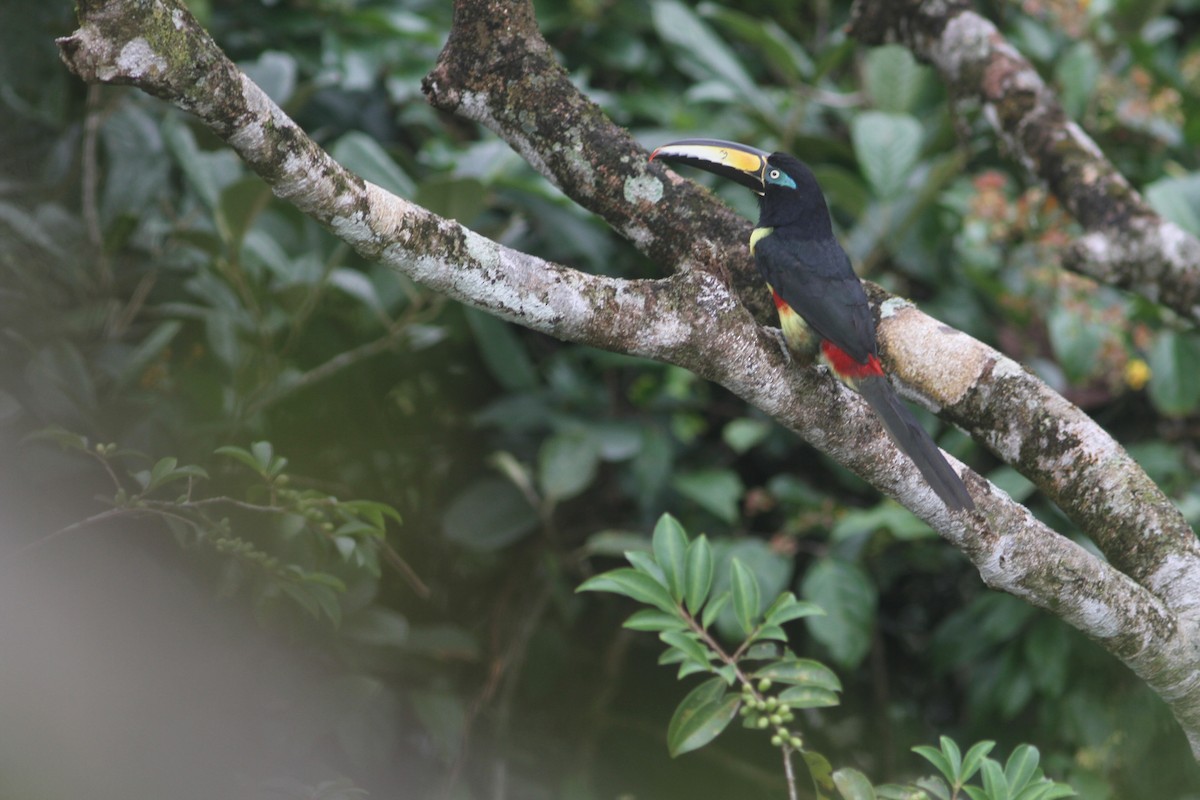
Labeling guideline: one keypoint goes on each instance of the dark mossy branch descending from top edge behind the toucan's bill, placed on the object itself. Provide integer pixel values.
(497, 70)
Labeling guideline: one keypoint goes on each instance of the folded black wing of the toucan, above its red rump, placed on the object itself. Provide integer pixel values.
(817, 280)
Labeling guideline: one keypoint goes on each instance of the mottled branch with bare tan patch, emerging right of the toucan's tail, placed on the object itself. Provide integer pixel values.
(1057, 446)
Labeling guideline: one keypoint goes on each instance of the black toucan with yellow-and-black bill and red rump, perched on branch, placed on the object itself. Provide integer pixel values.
(823, 308)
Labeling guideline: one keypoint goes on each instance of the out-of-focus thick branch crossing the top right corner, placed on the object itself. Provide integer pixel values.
(1127, 244)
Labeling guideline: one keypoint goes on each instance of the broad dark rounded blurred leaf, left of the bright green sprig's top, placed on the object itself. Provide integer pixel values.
(489, 515)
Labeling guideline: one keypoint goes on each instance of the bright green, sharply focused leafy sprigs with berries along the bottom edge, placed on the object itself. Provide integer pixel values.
(676, 579)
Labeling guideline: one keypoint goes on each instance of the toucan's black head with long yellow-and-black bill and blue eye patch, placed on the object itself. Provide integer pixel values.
(789, 193)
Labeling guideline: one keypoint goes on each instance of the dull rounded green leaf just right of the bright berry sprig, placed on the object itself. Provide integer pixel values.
(849, 599)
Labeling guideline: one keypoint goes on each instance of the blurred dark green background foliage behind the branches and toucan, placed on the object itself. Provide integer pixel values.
(153, 293)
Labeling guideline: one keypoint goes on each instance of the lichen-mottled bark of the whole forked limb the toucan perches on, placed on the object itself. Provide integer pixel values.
(499, 70)
